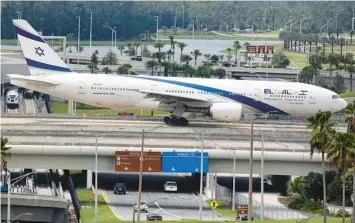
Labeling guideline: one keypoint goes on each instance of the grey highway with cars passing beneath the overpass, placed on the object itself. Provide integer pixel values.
(172, 206)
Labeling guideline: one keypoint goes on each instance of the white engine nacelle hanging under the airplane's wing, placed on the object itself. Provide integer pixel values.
(226, 111)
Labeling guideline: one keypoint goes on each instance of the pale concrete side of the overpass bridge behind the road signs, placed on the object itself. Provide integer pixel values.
(219, 161)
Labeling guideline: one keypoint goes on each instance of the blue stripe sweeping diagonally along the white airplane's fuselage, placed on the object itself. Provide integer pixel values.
(258, 105)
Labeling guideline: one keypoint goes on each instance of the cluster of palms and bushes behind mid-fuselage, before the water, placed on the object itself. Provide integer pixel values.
(163, 62)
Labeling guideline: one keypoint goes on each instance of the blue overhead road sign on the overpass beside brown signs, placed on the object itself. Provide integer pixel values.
(184, 162)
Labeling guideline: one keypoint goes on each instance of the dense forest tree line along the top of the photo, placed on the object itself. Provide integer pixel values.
(134, 18)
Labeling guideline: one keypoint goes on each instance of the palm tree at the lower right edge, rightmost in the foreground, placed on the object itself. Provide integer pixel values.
(338, 149)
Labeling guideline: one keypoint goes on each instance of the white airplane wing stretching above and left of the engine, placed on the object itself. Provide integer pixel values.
(166, 96)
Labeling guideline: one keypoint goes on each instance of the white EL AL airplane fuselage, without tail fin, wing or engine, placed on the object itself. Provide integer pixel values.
(117, 92)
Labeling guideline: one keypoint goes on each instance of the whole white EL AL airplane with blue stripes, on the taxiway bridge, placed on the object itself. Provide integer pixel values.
(222, 99)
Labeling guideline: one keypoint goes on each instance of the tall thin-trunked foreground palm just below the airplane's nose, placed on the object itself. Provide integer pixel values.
(321, 130)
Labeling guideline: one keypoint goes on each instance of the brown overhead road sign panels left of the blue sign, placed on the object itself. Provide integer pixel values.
(130, 161)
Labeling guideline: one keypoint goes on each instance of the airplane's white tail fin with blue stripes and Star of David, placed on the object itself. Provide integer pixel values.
(40, 57)
